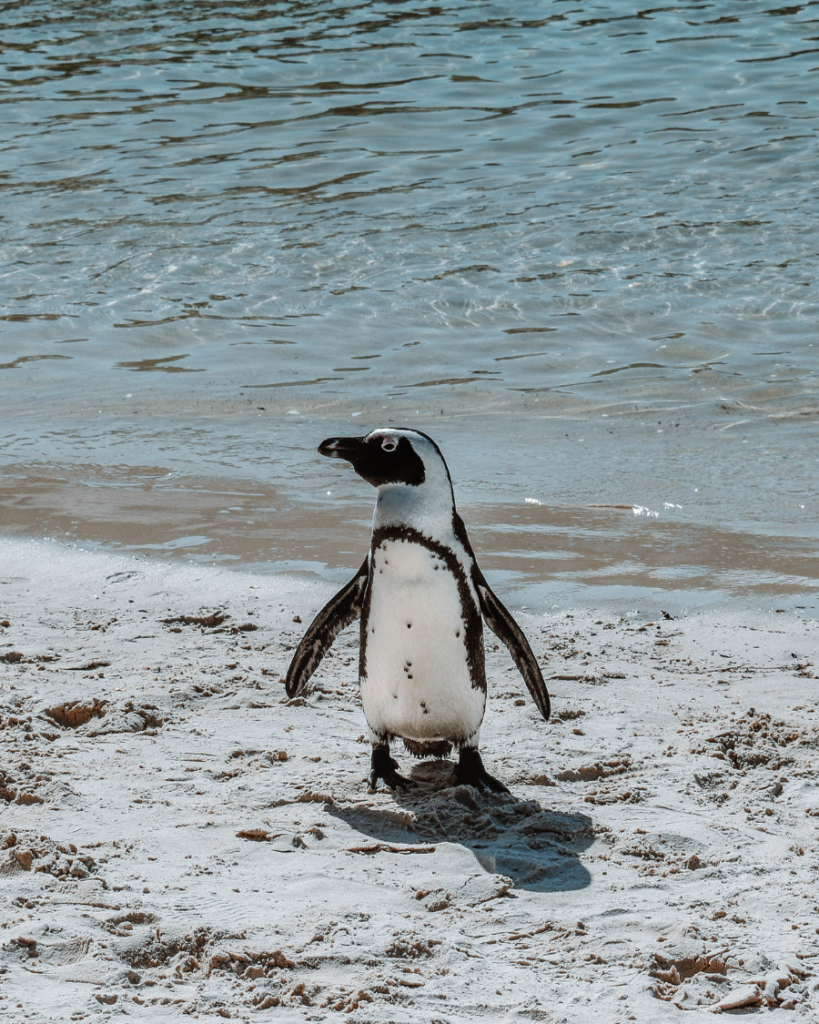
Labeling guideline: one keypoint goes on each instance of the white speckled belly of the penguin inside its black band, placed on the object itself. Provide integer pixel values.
(416, 679)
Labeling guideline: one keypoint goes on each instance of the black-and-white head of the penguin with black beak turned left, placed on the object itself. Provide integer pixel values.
(390, 456)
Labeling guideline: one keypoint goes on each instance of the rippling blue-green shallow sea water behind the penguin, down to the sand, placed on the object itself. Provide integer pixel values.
(576, 243)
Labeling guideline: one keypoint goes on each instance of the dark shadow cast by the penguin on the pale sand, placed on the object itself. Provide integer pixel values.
(539, 848)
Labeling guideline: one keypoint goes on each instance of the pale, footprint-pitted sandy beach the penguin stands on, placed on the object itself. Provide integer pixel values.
(180, 841)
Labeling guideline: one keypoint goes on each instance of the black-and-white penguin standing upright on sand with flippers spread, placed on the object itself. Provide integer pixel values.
(420, 598)
